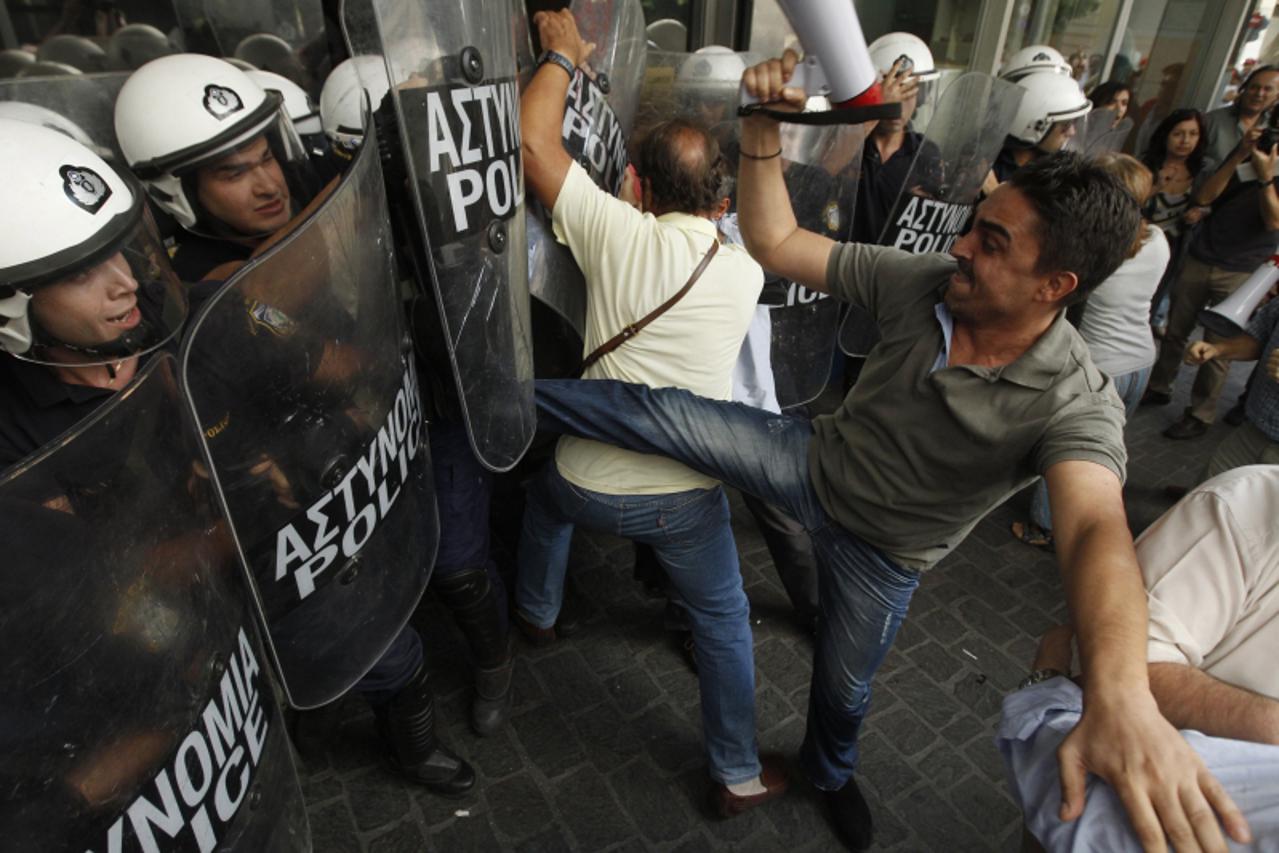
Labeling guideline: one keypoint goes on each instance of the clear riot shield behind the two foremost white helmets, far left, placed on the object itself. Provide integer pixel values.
(88, 102)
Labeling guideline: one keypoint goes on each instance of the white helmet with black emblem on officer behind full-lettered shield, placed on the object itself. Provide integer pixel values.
(182, 112)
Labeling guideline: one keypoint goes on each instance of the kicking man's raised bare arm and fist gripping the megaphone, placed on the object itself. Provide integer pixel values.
(768, 222)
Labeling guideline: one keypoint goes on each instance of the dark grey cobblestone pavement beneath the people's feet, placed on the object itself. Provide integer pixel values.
(603, 750)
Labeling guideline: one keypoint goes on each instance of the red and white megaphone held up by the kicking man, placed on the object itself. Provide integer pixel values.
(837, 62)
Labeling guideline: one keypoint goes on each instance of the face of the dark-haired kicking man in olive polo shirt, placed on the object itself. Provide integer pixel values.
(997, 282)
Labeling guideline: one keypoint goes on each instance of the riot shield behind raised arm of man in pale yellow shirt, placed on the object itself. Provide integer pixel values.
(599, 112)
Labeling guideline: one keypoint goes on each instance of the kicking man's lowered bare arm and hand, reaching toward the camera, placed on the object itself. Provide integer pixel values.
(1122, 737)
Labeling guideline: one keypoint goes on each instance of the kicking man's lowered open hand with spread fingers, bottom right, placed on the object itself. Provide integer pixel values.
(1163, 785)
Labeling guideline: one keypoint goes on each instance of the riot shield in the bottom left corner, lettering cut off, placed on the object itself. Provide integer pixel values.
(139, 714)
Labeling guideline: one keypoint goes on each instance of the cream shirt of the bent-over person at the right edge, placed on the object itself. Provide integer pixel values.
(1212, 570)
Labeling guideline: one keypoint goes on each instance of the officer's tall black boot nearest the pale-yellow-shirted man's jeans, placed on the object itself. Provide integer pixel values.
(479, 608)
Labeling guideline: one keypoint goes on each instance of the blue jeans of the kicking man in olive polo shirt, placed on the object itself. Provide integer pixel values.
(863, 595)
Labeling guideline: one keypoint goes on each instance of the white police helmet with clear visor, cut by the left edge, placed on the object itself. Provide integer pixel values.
(63, 209)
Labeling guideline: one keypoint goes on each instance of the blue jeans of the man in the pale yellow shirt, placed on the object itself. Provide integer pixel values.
(691, 534)
